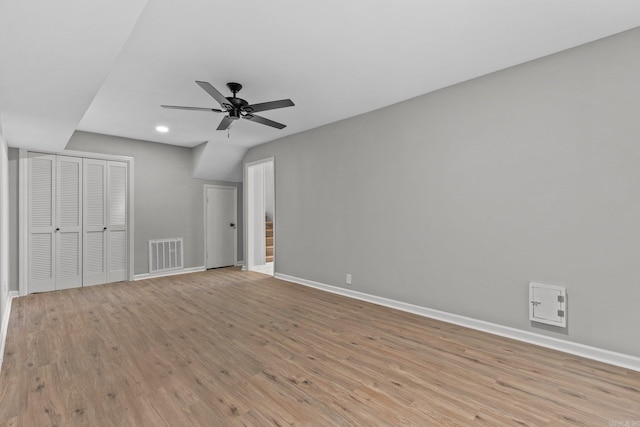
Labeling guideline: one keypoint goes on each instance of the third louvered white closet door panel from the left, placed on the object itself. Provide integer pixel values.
(95, 222)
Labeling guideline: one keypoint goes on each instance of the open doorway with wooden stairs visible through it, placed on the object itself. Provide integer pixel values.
(261, 216)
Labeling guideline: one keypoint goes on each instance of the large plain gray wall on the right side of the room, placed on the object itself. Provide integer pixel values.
(457, 199)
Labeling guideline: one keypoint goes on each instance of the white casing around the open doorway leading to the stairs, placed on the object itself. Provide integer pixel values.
(248, 229)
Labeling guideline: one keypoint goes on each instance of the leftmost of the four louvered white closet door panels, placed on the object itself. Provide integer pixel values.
(41, 222)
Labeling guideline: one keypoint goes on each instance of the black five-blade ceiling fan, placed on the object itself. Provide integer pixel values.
(237, 108)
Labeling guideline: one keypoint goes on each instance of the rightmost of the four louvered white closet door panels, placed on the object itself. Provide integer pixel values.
(117, 221)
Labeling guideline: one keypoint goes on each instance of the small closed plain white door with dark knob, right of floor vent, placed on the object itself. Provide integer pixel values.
(220, 221)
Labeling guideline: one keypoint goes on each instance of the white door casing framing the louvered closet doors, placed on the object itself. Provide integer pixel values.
(23, 228)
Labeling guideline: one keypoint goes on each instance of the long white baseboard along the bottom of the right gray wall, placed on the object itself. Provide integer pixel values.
(594, 353)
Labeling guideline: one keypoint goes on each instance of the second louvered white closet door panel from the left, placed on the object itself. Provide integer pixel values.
(68, 232)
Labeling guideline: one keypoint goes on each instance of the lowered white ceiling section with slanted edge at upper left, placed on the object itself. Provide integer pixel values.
(54, 57)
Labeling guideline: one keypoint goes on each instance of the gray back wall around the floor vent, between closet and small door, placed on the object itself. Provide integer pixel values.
(168, 202)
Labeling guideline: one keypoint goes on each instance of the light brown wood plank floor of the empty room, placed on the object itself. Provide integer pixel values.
(226, 347)
